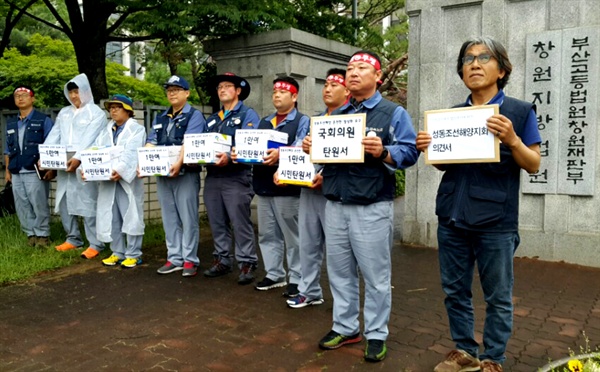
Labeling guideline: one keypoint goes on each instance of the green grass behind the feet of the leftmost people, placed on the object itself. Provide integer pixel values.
(18, 261)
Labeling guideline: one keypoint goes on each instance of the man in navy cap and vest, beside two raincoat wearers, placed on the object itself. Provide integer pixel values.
(178, 194)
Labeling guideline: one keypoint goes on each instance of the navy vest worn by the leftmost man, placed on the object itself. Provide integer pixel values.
(34, 136)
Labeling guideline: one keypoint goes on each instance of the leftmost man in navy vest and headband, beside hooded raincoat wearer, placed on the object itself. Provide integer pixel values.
(24, 133)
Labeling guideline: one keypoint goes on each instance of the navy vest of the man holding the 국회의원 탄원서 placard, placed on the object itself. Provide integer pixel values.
(368, 182)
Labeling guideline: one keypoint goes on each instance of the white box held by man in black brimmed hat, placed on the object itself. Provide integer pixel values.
(203, 148)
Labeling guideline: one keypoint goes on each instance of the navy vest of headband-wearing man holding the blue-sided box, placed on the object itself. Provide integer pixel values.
(262, 177)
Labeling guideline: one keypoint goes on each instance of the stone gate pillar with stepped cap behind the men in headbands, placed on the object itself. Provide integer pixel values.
(263, 57)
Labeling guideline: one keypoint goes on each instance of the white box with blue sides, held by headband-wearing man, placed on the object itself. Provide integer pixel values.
(251, 145)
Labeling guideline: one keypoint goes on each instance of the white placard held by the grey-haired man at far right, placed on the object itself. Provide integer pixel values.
(461, 136)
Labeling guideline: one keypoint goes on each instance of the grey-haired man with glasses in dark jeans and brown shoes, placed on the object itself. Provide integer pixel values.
(489, 236)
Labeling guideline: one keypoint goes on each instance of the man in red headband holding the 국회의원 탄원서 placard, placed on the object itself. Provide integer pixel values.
(359, 212)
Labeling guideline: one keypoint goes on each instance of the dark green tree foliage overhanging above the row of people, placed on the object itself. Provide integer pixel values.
(176, 29)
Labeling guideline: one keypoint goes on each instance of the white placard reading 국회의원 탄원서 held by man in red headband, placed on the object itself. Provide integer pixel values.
(337, 138)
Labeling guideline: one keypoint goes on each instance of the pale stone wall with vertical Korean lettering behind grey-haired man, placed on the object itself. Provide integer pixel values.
(557, 223)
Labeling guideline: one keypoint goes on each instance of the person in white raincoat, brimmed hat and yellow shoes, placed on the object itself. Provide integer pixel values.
(120, 213)
